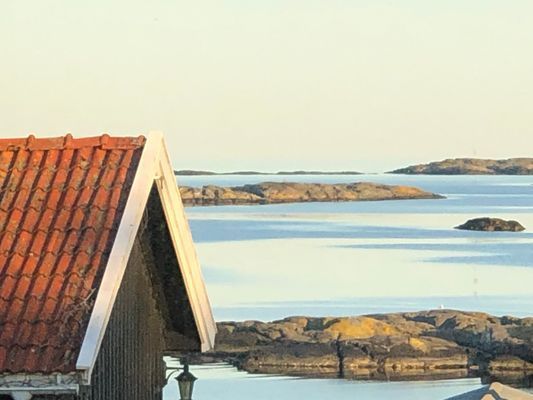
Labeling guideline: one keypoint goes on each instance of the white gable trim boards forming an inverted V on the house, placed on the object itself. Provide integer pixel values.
(155, 166)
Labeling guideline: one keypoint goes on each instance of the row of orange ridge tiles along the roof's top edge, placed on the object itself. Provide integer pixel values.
(105, 141)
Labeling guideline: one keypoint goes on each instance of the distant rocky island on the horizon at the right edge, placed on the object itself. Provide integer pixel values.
(471, 166)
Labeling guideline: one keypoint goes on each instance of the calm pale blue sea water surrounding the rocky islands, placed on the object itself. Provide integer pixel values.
(268, 262)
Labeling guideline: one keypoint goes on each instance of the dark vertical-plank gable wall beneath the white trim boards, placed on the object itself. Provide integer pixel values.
(130, 363)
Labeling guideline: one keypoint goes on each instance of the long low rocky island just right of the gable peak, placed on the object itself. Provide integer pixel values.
(286, 192)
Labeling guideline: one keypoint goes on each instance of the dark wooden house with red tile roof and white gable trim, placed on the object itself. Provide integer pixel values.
(98, 274)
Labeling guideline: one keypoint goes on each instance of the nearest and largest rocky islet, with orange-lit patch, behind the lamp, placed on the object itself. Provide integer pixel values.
(415, 345)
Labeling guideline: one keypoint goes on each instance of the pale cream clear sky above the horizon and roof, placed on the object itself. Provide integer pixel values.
(332, 84)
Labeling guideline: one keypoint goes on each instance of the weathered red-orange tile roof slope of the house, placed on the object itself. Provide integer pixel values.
(61, 201)
